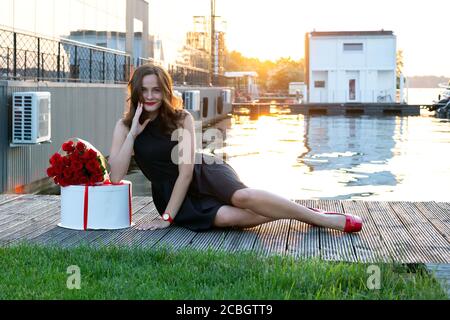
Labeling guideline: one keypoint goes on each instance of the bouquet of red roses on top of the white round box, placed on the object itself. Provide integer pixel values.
(81, 164)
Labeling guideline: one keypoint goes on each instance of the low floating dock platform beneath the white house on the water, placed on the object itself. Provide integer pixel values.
(377, 109)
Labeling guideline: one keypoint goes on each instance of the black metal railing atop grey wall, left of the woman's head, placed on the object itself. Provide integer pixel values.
(29, 57)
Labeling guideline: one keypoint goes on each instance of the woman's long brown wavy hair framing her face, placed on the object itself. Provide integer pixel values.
(171, 109)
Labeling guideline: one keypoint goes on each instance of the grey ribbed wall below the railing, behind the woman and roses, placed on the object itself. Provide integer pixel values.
(87, 111)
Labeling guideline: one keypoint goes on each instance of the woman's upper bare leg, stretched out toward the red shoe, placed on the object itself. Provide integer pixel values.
(273, 206)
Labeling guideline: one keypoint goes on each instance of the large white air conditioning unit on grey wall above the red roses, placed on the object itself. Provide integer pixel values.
(31, 117)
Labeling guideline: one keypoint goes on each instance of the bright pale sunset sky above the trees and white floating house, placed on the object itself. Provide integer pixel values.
(271, 29)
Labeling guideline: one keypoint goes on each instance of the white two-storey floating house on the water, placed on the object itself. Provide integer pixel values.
(354, 66)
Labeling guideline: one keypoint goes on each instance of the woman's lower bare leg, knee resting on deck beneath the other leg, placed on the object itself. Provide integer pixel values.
(229, 216)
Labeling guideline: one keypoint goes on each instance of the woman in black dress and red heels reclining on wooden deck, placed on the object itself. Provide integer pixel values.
(195, 194)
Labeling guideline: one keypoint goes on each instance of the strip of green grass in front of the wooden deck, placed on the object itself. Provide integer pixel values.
(34, 272)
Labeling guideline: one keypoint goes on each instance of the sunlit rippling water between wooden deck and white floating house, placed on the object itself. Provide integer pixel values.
(335, 157)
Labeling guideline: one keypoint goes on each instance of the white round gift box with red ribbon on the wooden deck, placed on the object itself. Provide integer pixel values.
(108, 206)
